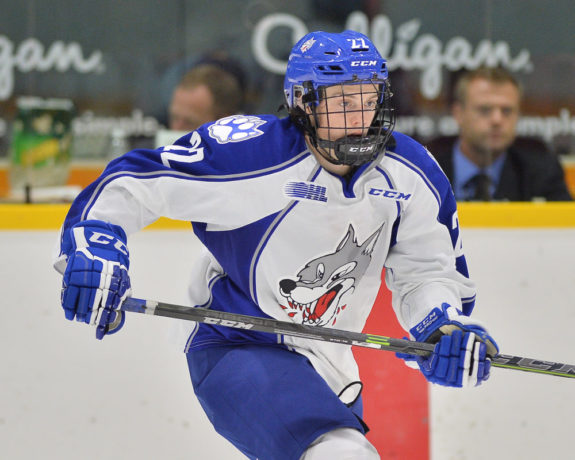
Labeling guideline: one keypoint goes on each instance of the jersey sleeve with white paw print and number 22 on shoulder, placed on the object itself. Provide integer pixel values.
(207, 176)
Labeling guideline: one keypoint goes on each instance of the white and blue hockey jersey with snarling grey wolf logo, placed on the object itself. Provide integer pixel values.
(287, 239)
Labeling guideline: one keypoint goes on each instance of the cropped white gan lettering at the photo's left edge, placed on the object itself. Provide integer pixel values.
(32, 56)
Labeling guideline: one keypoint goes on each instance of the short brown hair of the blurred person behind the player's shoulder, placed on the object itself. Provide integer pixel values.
(225, 88)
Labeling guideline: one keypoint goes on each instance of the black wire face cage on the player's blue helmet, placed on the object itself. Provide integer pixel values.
(355, 144)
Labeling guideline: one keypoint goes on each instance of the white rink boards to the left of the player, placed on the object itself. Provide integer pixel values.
(65, 395)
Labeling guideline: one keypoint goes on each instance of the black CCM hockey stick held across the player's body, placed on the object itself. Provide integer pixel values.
(380, 342)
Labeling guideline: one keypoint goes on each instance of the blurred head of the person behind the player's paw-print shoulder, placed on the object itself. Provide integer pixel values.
(212, 89)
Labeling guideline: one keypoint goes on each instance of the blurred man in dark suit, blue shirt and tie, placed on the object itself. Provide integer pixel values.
(487, 161)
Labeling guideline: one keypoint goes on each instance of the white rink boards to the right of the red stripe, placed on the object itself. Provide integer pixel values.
(525, 282)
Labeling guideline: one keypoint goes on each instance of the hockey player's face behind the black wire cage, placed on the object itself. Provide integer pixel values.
(346, 110)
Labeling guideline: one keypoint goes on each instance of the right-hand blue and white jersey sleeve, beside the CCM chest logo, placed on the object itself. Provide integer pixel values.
(425, 264)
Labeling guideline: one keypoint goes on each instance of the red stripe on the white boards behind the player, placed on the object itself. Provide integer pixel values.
(395, 397)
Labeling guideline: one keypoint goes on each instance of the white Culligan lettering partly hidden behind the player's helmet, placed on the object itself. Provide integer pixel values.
(405, 48)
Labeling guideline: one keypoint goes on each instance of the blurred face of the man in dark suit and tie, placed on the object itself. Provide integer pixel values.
(488, 118)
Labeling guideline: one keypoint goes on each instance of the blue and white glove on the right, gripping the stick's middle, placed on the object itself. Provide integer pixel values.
(463, 350)
